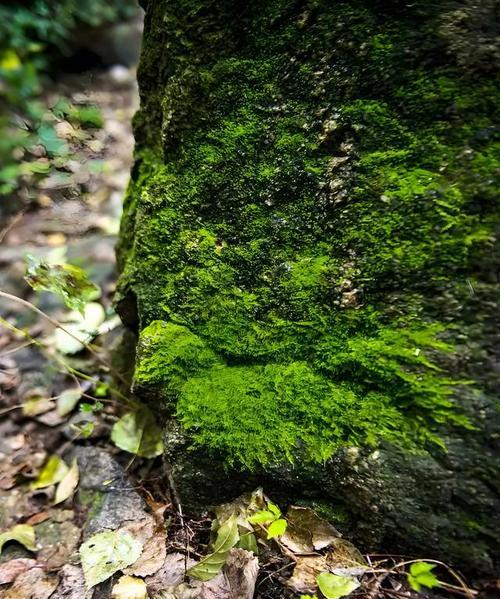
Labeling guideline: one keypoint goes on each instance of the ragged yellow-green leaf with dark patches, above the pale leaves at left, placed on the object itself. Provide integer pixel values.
(65, 280)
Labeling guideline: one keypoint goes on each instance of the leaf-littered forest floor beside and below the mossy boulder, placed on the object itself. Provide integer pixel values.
(62, 479)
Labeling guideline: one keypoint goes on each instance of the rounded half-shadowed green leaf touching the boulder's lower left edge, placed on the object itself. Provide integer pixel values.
(138, 433)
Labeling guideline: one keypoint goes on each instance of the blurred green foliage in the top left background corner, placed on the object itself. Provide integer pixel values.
(33, 33)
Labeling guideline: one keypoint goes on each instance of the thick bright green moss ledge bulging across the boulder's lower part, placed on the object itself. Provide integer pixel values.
(259, 414)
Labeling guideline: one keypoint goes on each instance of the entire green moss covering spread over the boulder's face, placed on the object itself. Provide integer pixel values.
(323, 192)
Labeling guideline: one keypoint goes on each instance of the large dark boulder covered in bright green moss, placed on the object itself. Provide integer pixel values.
(308, 255)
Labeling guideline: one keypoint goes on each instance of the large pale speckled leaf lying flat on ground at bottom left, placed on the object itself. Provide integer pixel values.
(107, 552)
